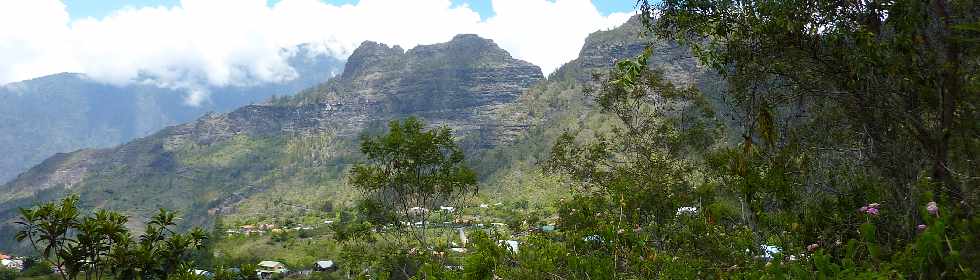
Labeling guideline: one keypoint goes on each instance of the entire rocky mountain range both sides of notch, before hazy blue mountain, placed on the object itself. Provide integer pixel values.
(295, 150)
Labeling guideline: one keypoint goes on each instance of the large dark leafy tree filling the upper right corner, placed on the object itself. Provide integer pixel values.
(896, 80)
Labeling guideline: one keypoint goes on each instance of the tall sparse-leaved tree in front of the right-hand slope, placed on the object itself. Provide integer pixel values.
(635, 173)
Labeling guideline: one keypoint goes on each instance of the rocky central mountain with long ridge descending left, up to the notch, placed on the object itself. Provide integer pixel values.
(288, 145)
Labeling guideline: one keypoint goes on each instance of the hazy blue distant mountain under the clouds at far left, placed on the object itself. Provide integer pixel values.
(66, 112)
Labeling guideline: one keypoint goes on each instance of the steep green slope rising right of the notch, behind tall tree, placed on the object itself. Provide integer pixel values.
(558, 105)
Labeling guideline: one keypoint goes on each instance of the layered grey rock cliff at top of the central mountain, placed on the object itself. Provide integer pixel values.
(462, 84)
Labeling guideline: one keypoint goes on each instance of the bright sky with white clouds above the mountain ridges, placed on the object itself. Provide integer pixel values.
(189, 44)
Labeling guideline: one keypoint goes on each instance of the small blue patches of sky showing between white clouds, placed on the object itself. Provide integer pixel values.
(100, 8)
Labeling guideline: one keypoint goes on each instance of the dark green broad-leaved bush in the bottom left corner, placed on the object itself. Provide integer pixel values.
(100, 246)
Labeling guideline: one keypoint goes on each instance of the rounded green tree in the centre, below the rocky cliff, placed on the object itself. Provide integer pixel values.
(411, 171)
